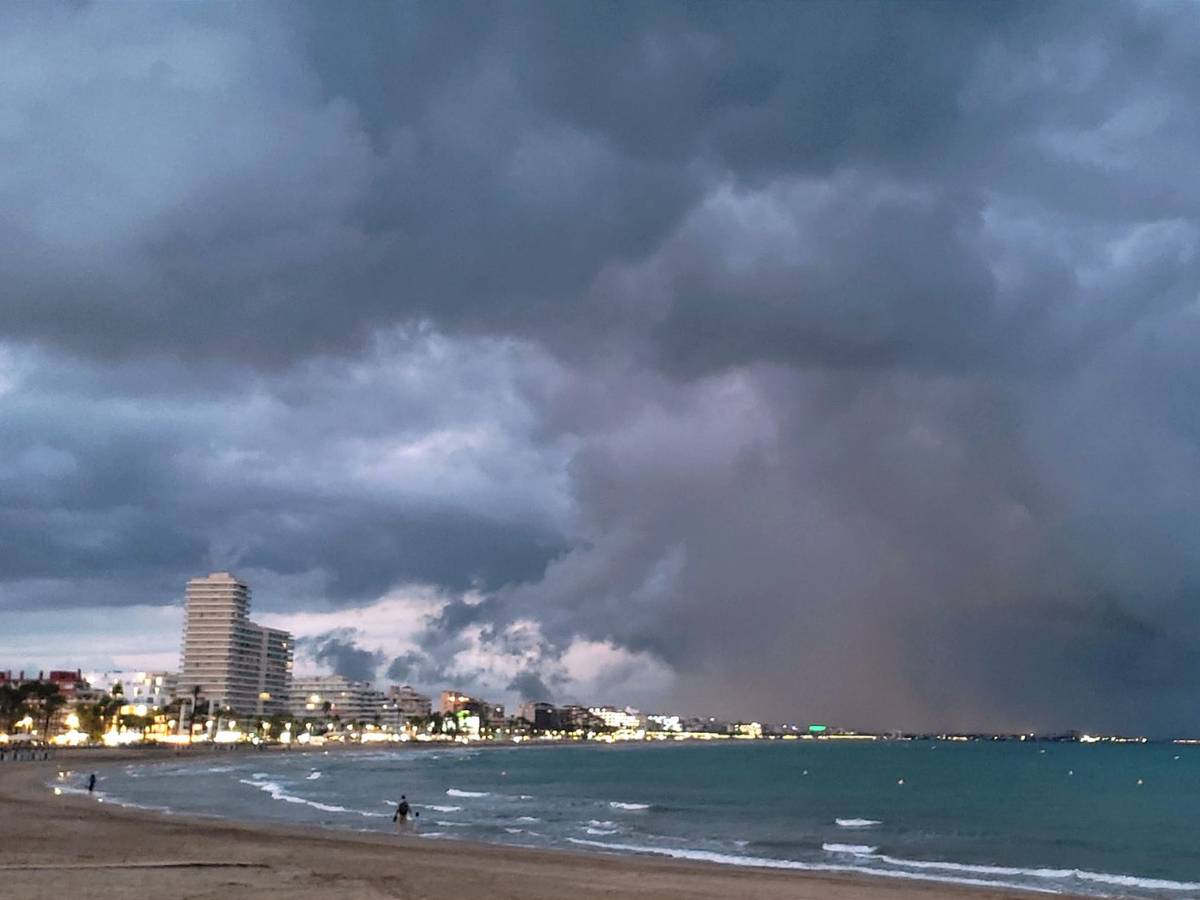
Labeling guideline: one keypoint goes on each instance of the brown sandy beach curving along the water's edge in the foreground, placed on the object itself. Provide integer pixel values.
(73, 847)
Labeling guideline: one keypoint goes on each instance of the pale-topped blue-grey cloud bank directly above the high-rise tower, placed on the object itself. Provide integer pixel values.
(103, 481)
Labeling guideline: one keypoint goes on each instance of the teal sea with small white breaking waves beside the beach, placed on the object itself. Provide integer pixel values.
(1100, 820)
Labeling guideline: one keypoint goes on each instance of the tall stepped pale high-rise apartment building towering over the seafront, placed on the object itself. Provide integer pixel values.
(233, 662)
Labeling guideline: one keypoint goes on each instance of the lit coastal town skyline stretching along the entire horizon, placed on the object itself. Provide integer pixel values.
(329, 687)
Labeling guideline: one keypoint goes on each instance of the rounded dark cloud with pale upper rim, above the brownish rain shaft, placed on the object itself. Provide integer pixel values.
(839, 279)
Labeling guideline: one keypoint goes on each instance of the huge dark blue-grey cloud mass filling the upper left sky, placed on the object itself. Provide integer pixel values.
(417, 182)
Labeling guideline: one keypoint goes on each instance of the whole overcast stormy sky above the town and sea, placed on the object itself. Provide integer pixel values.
(795, 362)
